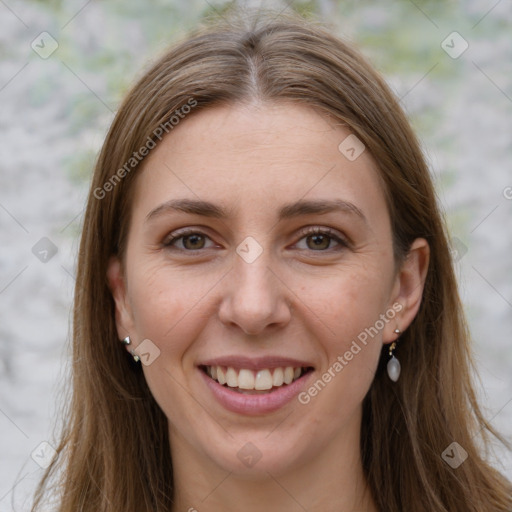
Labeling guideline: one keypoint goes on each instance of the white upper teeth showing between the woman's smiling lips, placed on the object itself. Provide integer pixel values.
(254, 382)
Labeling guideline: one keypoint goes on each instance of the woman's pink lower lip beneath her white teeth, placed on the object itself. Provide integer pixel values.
(253, 405)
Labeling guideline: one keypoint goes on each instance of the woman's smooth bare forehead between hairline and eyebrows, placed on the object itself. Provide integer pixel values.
(258, 154)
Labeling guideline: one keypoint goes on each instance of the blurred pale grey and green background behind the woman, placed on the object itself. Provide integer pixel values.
(64, 67)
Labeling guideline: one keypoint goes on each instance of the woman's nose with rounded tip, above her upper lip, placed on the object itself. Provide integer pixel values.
(256, 298)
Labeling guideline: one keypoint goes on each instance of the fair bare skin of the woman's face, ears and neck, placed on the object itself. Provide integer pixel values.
(294, 300)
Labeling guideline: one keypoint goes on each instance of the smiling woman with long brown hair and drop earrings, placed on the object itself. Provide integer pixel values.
(266, 314)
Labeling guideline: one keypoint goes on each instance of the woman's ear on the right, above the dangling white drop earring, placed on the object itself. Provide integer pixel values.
(408, 288)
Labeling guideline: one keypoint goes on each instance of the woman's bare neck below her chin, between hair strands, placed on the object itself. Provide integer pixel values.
(332, 480)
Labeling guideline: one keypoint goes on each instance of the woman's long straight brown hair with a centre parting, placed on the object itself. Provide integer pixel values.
(113, 453)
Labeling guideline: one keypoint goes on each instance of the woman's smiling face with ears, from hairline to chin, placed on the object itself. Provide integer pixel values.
(258, 252)
